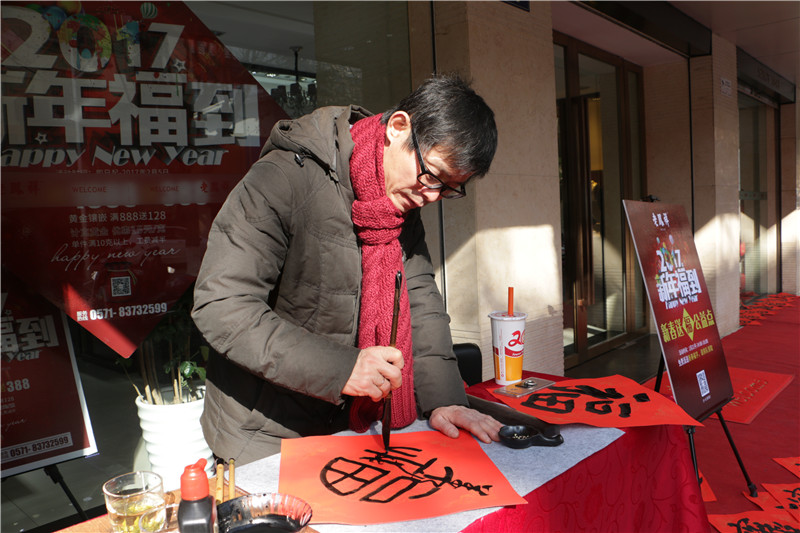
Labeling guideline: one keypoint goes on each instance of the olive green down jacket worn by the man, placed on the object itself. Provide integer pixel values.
(278, 296)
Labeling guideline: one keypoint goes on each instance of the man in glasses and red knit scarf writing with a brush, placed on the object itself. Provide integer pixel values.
(296, 287)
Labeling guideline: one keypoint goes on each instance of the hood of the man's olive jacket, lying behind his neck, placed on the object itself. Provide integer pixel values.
(320, 135)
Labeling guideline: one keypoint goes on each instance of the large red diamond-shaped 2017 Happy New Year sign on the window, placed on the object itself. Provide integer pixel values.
(126, 124)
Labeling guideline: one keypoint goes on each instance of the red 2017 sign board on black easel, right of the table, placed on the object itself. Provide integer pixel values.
(681, 306)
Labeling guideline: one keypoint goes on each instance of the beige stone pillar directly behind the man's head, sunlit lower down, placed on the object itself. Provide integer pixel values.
(507, 231)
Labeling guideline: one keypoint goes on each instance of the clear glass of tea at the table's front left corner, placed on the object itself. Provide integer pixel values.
(131, 495)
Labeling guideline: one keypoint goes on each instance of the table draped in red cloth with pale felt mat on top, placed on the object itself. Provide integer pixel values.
(638, 480)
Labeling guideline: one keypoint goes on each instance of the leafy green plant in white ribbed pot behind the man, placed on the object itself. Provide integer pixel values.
(169, 404)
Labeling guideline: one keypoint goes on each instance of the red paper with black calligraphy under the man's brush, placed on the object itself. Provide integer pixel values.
(424, 474)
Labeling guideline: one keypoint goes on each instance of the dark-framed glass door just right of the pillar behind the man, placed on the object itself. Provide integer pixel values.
(599, 143)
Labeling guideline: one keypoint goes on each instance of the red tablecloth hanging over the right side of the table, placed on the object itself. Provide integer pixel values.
(642, 482)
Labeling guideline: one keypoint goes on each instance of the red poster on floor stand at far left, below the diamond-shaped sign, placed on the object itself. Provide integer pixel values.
(44, 414)
